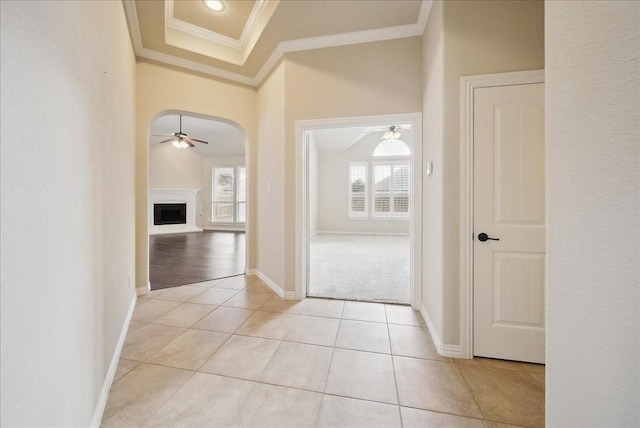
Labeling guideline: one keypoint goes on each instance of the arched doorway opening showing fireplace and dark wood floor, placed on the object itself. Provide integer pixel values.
(207, 179)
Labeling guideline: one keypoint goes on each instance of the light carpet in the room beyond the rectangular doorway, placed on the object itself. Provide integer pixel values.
(372, 268)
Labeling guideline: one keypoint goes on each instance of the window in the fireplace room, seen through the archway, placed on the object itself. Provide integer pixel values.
(228, 194)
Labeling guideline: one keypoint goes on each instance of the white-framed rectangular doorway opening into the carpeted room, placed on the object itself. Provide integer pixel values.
(360, 187)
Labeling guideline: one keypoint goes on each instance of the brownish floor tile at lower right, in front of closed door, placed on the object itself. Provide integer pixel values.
(507, 396)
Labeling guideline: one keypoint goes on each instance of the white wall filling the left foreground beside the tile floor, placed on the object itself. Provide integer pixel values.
(67, 210)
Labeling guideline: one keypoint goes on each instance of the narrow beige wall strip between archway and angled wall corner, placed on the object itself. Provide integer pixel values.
(270, 181)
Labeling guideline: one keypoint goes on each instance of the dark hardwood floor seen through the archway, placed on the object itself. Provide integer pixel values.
(185, 258)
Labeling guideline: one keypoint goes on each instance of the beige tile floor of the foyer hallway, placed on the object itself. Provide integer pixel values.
(231, 353)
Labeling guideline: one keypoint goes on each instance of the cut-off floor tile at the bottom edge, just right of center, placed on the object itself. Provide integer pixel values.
(348, 412)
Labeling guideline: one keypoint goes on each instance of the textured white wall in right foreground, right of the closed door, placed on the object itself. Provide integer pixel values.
(592, 96)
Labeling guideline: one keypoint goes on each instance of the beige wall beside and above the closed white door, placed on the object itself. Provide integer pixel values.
(462, 38)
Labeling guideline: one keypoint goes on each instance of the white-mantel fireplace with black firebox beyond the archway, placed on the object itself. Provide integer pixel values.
(172, 211)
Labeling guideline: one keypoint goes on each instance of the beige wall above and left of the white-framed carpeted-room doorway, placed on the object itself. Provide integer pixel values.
(359, 80)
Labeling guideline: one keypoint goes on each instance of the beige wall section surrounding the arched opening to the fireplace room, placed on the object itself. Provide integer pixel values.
(162, 89)
